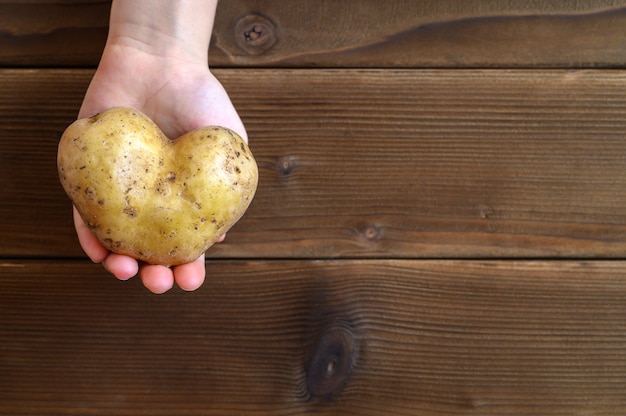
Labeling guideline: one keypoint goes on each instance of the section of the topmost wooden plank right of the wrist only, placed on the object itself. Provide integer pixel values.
(435, 33)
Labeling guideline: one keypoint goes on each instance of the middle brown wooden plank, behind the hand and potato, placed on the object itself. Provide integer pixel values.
(366, 163)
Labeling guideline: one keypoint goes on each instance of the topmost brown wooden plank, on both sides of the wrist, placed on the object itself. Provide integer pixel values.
(351, 33)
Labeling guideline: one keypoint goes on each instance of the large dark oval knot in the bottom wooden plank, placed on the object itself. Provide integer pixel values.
(332, 362)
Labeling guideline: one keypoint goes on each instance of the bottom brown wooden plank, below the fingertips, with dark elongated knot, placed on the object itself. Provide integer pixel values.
(433, 337)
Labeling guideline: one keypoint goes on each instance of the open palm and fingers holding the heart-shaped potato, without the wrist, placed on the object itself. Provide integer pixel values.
(179, 95)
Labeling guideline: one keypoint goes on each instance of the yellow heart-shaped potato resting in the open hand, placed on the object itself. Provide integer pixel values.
(158, 200)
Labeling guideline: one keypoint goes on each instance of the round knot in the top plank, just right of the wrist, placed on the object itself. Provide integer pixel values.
(255, 34)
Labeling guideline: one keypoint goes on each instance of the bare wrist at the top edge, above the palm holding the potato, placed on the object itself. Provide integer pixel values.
(170, 29)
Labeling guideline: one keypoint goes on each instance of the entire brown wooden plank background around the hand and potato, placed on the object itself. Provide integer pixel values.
(440, 225)
